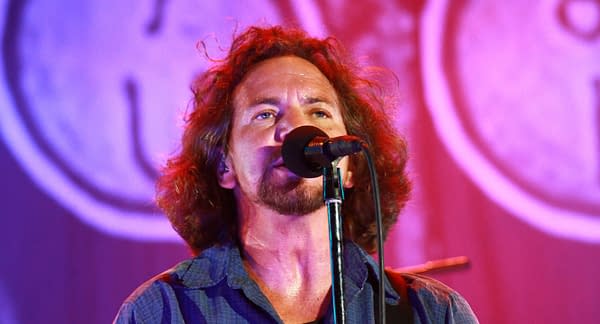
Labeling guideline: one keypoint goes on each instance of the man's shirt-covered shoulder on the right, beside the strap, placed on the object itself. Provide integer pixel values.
(433, 301)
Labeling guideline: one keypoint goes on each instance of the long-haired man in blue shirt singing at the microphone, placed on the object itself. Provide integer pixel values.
(259, 232)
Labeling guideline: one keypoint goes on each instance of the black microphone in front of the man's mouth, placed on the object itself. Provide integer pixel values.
(307, 149)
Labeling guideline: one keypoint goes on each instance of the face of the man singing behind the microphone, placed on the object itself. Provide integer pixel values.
(275, 97)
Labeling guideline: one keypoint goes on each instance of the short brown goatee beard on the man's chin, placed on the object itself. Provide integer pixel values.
(289, 195)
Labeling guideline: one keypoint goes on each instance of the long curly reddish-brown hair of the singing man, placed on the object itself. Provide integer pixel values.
(204, 213)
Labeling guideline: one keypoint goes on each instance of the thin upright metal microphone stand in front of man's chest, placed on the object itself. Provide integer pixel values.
(333, 194)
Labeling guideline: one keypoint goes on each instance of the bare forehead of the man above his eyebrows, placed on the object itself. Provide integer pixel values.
(281, 72)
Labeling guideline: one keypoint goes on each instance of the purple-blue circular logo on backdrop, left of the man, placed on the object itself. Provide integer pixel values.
(93, 94)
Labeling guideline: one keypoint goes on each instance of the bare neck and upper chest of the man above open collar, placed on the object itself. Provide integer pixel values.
(289, 258)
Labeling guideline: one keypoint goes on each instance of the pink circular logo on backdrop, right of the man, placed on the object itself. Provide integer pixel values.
(514, 90)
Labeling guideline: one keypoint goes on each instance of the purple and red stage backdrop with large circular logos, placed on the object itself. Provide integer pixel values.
(500, 102)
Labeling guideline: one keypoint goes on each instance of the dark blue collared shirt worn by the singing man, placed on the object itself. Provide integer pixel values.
(215, 288)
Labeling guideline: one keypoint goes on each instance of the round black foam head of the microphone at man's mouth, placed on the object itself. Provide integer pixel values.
(293, 148)
